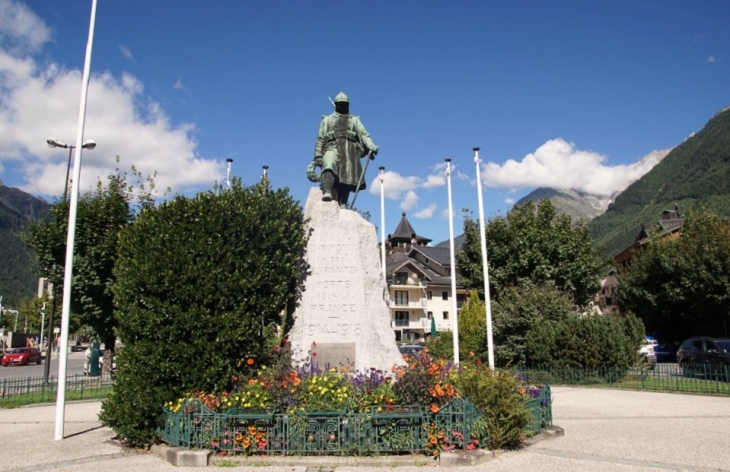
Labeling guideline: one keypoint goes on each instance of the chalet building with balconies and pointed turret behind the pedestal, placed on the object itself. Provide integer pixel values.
(419, 285)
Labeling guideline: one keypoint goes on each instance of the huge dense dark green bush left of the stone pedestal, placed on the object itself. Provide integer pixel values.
(198, 280)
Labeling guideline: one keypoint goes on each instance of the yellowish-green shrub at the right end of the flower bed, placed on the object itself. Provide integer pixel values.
(497, 395)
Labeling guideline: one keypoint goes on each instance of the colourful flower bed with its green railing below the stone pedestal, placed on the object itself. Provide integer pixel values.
(310, 411)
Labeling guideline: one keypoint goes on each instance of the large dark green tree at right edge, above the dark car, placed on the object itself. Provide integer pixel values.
(681, 287)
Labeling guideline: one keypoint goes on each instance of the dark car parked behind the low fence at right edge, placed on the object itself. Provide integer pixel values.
(702, 354)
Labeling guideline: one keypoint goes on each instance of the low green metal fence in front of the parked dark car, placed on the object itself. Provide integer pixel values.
(694, 378)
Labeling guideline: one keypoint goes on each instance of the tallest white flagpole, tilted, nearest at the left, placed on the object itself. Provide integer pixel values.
(68, 271)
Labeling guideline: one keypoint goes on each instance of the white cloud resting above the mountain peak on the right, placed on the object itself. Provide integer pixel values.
(558, 164)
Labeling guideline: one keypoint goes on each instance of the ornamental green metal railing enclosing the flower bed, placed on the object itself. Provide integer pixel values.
(396, 430)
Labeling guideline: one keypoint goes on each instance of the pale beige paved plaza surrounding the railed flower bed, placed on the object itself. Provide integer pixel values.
(605, 430)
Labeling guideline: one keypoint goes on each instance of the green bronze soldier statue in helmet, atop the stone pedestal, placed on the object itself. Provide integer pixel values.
(341, 142)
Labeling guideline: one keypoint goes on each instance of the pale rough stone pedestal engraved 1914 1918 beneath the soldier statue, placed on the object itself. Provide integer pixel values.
(343, 318)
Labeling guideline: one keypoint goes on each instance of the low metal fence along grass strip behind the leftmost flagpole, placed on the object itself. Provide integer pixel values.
(26, 391)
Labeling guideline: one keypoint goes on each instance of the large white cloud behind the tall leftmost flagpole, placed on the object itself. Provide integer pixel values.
(40, 101)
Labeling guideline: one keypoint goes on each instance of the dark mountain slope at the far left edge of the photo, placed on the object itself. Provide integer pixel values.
(17, 210)
